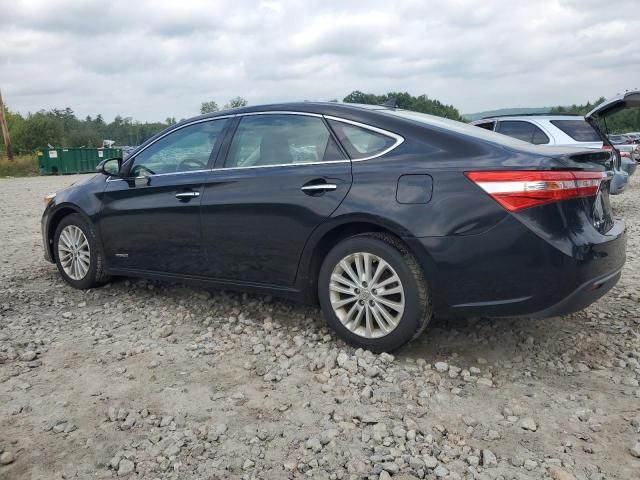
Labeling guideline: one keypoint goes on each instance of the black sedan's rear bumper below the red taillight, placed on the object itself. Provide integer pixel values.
(511, 271)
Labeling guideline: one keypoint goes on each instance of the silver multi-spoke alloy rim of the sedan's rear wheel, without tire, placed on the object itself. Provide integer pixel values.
(367, 295)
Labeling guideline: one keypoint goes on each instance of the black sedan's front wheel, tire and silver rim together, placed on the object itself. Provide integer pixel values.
(94, 275)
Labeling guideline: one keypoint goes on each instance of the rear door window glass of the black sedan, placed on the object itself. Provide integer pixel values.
(281, 139)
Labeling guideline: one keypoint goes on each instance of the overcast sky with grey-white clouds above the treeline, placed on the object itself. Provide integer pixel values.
(156, 59)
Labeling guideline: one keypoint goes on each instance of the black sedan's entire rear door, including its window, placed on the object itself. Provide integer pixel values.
(282, 176)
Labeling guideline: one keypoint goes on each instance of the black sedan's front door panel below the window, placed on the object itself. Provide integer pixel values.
(146, 227)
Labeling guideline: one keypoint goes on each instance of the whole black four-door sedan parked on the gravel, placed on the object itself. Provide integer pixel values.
(382, 216)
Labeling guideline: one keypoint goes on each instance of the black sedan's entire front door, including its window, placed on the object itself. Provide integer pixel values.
(150, 220)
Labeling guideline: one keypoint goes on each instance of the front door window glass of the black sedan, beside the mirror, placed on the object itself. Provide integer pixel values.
(183, 150)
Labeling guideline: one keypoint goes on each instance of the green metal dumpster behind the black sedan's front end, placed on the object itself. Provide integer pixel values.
(65, 161)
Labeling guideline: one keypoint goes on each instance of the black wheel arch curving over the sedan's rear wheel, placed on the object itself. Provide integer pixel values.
(333, 232)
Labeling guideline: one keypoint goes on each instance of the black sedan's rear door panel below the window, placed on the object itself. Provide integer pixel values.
(256, 221)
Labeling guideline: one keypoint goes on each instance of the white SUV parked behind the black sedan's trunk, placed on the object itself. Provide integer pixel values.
(555, 130)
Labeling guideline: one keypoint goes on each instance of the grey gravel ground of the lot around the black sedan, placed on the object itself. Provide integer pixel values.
(148, 380)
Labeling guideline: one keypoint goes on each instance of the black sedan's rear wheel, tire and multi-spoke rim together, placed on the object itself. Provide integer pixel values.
(411, 306)
